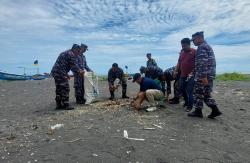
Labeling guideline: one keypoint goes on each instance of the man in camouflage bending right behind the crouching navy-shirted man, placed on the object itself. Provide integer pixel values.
(155, 73)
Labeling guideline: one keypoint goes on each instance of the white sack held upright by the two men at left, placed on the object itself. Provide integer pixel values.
(91, 91)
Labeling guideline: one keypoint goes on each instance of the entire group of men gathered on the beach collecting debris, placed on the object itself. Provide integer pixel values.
(193, 78)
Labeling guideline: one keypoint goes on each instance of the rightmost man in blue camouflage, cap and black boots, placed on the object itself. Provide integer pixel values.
(204, 74)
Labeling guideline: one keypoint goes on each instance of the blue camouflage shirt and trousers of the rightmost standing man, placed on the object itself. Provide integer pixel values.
(205, 66)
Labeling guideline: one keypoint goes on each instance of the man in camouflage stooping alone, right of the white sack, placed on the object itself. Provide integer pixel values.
(114, 73)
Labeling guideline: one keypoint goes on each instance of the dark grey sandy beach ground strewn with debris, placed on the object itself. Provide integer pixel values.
(95, 133)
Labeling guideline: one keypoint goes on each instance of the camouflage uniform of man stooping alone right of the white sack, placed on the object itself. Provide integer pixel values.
(114, 75)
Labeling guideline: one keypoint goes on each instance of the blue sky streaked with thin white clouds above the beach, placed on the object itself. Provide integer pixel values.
(121, 31)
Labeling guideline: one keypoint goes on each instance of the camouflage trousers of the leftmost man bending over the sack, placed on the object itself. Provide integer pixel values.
(62, 90)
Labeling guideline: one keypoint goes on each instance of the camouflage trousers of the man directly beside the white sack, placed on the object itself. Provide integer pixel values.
(79, 86)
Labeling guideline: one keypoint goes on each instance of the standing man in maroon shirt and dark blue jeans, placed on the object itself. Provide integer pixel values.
(185, 66)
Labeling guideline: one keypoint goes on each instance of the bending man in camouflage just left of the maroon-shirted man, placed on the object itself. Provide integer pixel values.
(169, 76)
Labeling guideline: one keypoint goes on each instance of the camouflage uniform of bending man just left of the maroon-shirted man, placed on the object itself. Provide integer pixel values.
(169, 74)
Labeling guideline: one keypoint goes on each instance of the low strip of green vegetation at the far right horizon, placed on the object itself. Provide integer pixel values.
(233, 77)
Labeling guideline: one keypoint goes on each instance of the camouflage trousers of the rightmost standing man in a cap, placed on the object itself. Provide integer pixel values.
(203, 94)
